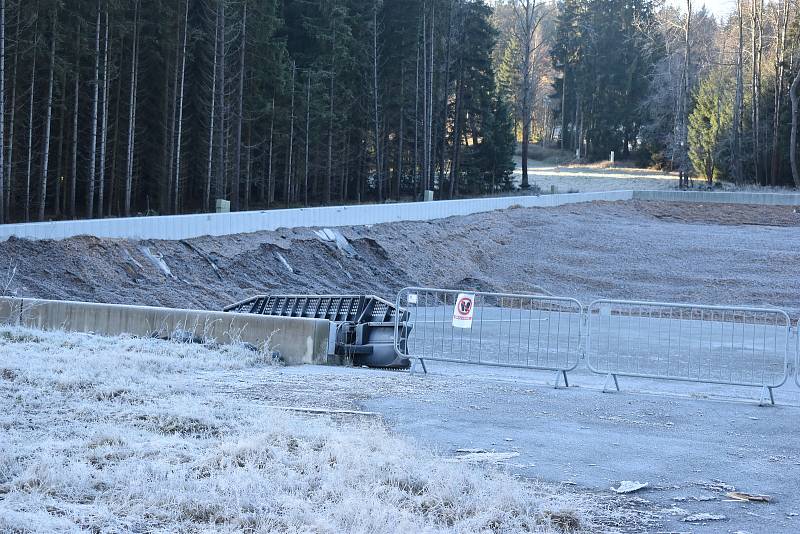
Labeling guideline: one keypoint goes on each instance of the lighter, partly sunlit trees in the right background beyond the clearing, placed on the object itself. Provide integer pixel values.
(671, 85)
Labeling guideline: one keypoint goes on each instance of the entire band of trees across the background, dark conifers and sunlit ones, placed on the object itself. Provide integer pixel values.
(117, 108)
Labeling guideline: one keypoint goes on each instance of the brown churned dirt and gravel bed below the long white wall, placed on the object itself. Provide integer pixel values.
(641, 250)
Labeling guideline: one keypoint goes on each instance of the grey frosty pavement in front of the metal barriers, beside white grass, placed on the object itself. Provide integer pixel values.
(689, 445)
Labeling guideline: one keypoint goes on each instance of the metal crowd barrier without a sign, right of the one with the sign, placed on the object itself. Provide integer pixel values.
(712, 344)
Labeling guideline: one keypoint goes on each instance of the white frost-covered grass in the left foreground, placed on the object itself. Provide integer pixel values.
(123, 434)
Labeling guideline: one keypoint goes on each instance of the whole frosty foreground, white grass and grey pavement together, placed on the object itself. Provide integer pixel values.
(131, 435)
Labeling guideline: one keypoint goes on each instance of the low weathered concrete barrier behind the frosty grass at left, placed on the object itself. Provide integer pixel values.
(299, 341)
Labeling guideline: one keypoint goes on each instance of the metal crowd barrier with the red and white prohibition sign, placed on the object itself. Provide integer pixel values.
(530, 331)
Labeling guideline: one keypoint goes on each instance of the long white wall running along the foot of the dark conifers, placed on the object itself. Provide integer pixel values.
(187, 226)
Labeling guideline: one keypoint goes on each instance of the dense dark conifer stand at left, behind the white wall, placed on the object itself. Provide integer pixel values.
(154, 106)
